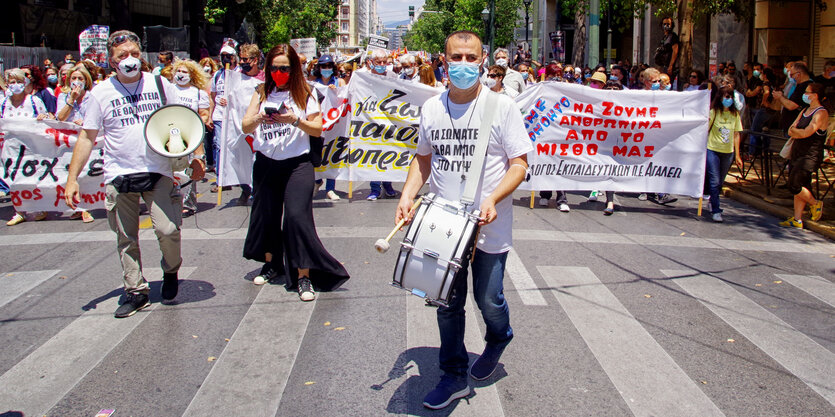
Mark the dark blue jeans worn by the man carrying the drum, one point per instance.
(488, 291)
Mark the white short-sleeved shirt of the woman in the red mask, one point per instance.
(281, 140)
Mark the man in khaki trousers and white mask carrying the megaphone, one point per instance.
(120, 107)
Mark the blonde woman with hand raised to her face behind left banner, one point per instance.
(72, 105)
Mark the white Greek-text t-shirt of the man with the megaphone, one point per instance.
(120, 112)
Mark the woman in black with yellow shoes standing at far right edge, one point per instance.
(808, 133)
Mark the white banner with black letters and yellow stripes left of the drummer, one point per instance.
(378, 130)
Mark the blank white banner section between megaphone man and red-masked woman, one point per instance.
(236, 155)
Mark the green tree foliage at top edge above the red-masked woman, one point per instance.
(278, 21)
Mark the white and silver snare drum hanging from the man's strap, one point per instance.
(437, 245)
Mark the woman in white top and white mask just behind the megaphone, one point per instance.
(191, 82)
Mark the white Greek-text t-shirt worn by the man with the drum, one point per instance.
(449, 132)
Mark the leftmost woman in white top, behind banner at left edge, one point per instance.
(18, 104)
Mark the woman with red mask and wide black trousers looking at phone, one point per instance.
(281, 228)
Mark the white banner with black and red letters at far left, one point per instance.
(35, 159)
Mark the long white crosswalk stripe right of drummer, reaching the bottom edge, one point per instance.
(648, 379)
